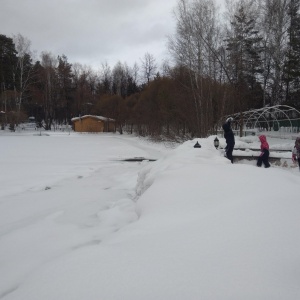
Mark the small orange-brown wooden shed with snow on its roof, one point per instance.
(89, 123)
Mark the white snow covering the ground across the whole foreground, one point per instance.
(79, 222)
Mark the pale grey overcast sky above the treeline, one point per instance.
(92, 32)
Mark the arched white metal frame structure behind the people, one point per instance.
(268, 118)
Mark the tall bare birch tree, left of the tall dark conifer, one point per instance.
(194, 47)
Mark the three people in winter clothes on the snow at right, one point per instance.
(264, 146)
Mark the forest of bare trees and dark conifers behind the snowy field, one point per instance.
(221, 62)
